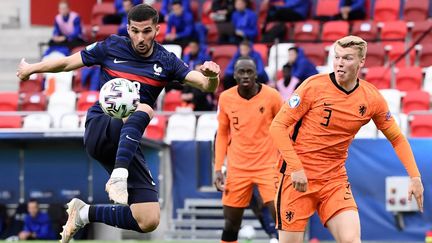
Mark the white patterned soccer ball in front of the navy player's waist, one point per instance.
(119, 98)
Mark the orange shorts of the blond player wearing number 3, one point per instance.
(327, 197)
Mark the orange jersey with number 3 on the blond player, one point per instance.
(322, 119)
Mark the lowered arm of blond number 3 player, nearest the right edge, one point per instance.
(403, 151)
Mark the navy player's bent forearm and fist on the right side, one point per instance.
(207, 80)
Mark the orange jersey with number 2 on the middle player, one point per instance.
(243, 132)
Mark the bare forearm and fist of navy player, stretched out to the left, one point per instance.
(68, 63)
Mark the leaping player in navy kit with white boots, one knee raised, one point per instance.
(114, 142)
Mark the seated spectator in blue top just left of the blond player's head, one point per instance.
(301, 67)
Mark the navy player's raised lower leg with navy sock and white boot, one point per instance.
(130, 137)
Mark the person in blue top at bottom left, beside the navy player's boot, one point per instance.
(37, 225)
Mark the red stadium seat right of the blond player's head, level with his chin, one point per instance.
(409, 78)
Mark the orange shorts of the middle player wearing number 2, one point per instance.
(239, 187)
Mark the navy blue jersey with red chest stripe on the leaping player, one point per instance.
(118, 59)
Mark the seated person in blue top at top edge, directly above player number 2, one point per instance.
(244, 25)
